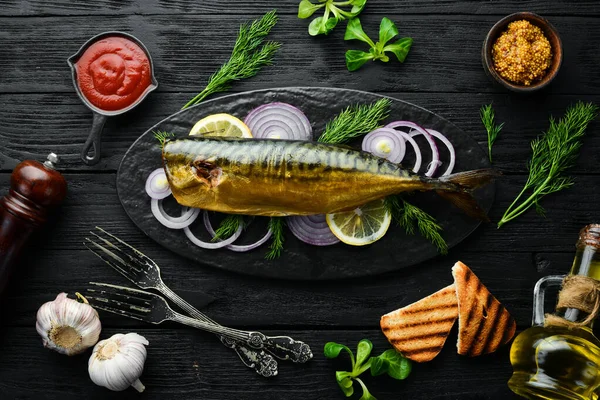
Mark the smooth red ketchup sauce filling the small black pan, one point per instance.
(113, 73)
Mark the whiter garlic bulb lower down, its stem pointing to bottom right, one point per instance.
(118, 362)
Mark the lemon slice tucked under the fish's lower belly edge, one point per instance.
(361, 226)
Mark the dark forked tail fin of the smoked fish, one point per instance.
(457, 189)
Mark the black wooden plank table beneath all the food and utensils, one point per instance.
(39, 113)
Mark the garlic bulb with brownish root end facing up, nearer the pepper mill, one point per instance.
(68, 326)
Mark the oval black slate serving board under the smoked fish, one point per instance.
(301, 261)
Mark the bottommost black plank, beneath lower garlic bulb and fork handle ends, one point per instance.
(187, 364)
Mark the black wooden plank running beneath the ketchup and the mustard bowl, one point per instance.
(445, 56)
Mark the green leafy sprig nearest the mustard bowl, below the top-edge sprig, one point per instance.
(387, 31)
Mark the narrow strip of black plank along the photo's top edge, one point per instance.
(147, 7)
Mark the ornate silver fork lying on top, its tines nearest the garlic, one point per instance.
(152, 308)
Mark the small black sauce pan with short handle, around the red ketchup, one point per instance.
(93, 142)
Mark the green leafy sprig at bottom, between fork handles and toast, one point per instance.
(390, 362)
